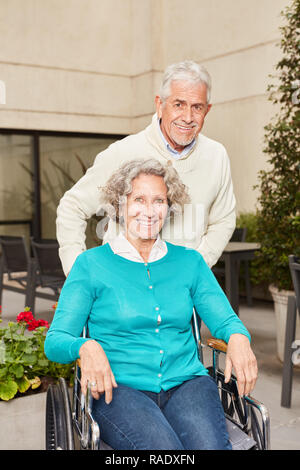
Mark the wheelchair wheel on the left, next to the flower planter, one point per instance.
(59, 428)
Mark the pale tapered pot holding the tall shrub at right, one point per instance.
(280, 298)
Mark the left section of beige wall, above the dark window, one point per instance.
(66, 64)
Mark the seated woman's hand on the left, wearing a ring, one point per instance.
(96, 370)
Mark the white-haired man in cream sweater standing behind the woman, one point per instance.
(174, 136)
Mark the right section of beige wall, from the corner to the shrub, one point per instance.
(236, 41)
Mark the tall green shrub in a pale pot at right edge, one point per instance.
(278, 219)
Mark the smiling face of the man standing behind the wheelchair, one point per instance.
(182, 113)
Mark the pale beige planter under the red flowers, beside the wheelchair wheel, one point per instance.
(22, 423)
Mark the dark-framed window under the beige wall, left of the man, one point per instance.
(36, 168)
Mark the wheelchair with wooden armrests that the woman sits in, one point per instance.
(71, 426)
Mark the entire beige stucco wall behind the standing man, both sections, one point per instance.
(95, 66)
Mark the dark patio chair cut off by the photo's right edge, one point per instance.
(290, 333)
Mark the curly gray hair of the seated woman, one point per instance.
(119, 185)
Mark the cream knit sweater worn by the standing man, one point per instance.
(206, 225)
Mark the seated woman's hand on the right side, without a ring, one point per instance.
(240, 357)
